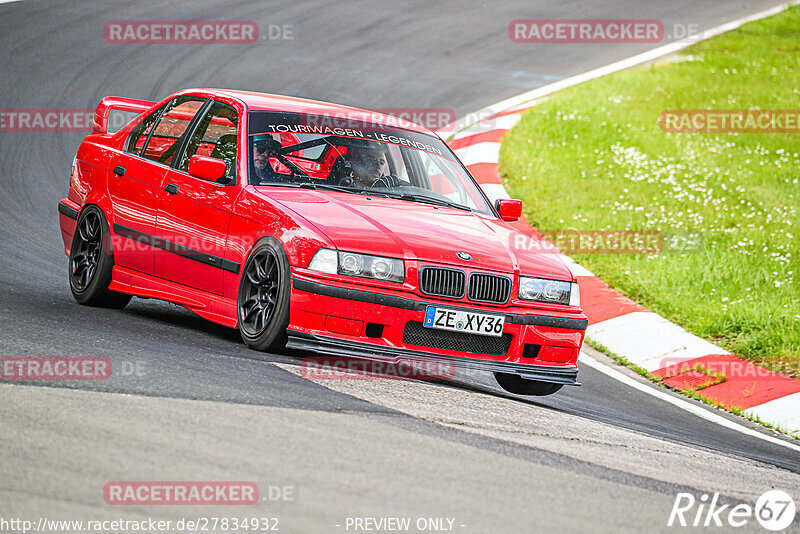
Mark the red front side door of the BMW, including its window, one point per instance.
(194, 214)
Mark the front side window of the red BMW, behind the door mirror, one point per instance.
(215, 136)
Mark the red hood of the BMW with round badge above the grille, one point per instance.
(412, 230)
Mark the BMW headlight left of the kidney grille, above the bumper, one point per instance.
(361, 265)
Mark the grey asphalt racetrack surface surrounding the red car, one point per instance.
(195, 404)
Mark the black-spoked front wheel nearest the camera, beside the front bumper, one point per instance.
(264, 294)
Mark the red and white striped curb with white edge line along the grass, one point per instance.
(644, 338)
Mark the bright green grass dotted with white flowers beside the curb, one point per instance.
(593, 157)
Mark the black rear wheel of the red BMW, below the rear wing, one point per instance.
(91, 260)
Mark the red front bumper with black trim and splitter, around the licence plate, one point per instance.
(352, 321)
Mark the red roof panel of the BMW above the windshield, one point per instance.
(269, 102)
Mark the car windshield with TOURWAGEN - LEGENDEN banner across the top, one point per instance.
(332, 153)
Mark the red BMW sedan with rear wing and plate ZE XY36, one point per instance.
(315, 227)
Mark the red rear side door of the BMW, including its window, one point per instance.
(136, 178)
